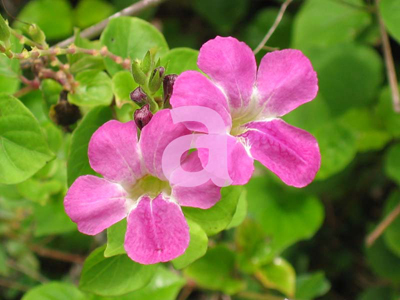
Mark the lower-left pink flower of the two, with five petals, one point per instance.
(134, 187)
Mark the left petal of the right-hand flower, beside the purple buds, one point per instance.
(192, 88)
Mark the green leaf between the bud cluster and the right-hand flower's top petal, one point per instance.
(180, 59)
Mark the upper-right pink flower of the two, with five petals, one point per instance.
(251, 103)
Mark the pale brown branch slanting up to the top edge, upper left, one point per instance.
(96, 29)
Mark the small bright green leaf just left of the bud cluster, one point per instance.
(123, 84)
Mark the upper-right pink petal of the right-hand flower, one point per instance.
(285, 80)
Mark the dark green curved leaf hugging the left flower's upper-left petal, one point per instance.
(78, 162)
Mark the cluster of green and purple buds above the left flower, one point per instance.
(150, 75)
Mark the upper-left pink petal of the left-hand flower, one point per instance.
(114, 152)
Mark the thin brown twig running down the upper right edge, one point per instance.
(387, 52)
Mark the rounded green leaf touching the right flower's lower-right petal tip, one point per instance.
(338, 146)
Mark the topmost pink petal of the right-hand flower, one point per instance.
(232, 66)
